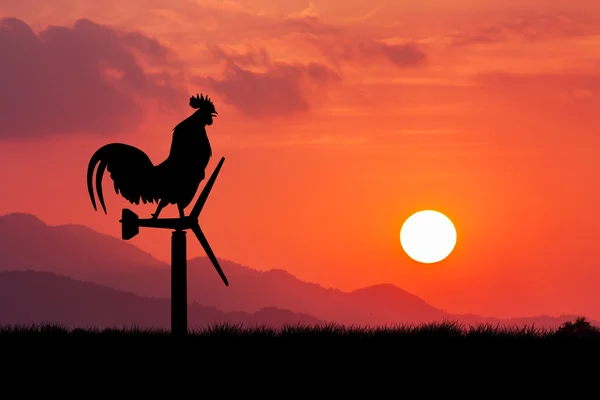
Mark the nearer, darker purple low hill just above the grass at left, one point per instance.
(29, 297)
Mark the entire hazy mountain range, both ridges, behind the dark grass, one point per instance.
(112, 282)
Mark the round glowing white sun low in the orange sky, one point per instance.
(428, 236)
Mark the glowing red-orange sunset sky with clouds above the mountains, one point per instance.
(338, 119)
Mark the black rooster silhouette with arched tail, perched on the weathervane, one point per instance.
(174, 181)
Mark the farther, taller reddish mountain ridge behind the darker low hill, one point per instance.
(27, 243)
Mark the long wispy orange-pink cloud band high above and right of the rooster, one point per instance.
(308, 36)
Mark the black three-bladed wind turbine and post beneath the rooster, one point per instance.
(130, 227)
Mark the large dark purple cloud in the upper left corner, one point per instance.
(85, 78)
